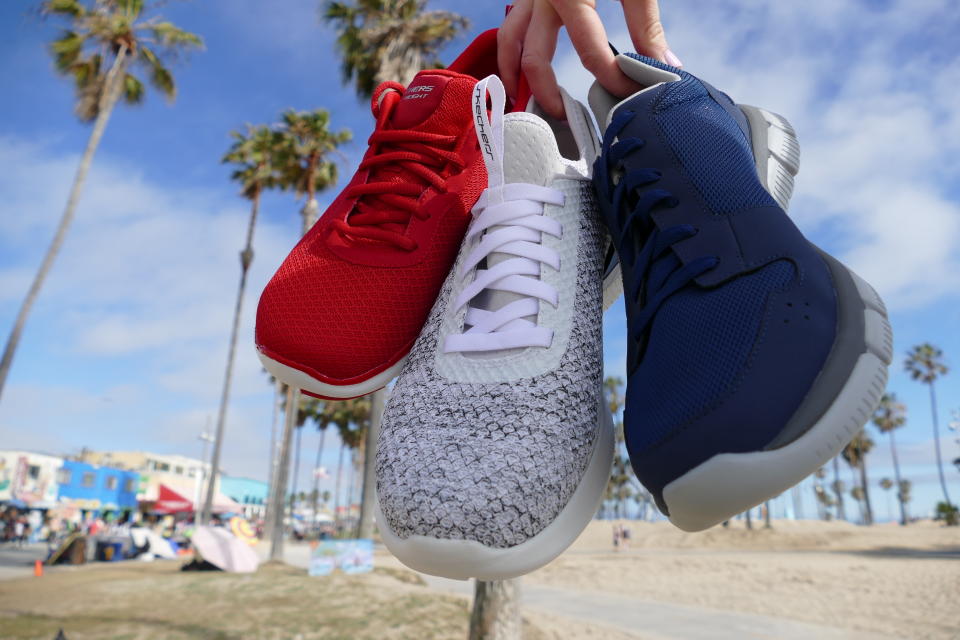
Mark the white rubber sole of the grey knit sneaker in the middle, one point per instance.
(464, 559)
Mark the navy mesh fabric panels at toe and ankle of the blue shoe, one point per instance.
(697, 347)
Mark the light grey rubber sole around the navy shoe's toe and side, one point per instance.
(731, 483)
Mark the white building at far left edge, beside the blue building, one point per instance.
(28, 480)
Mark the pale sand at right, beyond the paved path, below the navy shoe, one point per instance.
(886, 579)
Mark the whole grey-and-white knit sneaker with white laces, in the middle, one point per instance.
(496, 443)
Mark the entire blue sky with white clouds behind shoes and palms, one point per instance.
(127, 344)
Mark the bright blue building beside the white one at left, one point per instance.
(93, 488)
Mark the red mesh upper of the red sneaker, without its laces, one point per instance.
(333, 317)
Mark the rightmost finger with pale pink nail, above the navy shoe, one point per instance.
(590, 40)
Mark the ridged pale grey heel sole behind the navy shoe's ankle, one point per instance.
(776, 150)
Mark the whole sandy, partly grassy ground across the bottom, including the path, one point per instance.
(797, 580)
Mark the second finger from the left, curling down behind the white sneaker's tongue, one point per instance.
(538, 48)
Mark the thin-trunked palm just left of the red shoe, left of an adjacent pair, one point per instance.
(252, 155)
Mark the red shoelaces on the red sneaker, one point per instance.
(385, 206)
